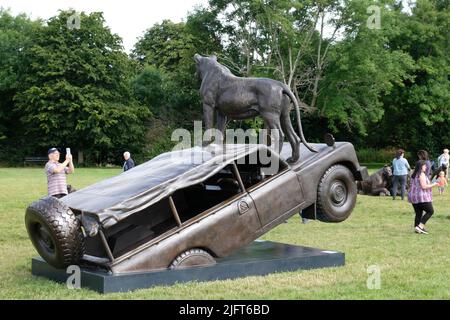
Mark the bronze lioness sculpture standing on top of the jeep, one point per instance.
(232, 97)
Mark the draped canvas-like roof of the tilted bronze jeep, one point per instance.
(118, 197)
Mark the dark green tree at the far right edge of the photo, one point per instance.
(417, 111)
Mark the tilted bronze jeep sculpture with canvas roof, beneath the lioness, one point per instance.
(188, 207)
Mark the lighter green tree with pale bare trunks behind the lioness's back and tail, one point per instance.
(338, 68)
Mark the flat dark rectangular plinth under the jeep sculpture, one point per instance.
(257, 258)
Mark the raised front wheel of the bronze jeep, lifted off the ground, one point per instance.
(336, 194)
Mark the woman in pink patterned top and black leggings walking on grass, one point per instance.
(421, 197)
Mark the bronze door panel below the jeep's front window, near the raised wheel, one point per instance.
(276, 196)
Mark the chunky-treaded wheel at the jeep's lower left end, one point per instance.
(55, 232)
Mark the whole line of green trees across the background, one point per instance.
(371, 72)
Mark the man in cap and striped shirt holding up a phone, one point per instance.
(56, 173)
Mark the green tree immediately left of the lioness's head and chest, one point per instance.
(166, 52)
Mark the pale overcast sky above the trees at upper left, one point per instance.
(128, 18)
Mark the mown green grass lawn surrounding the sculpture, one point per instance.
(379, 232)
